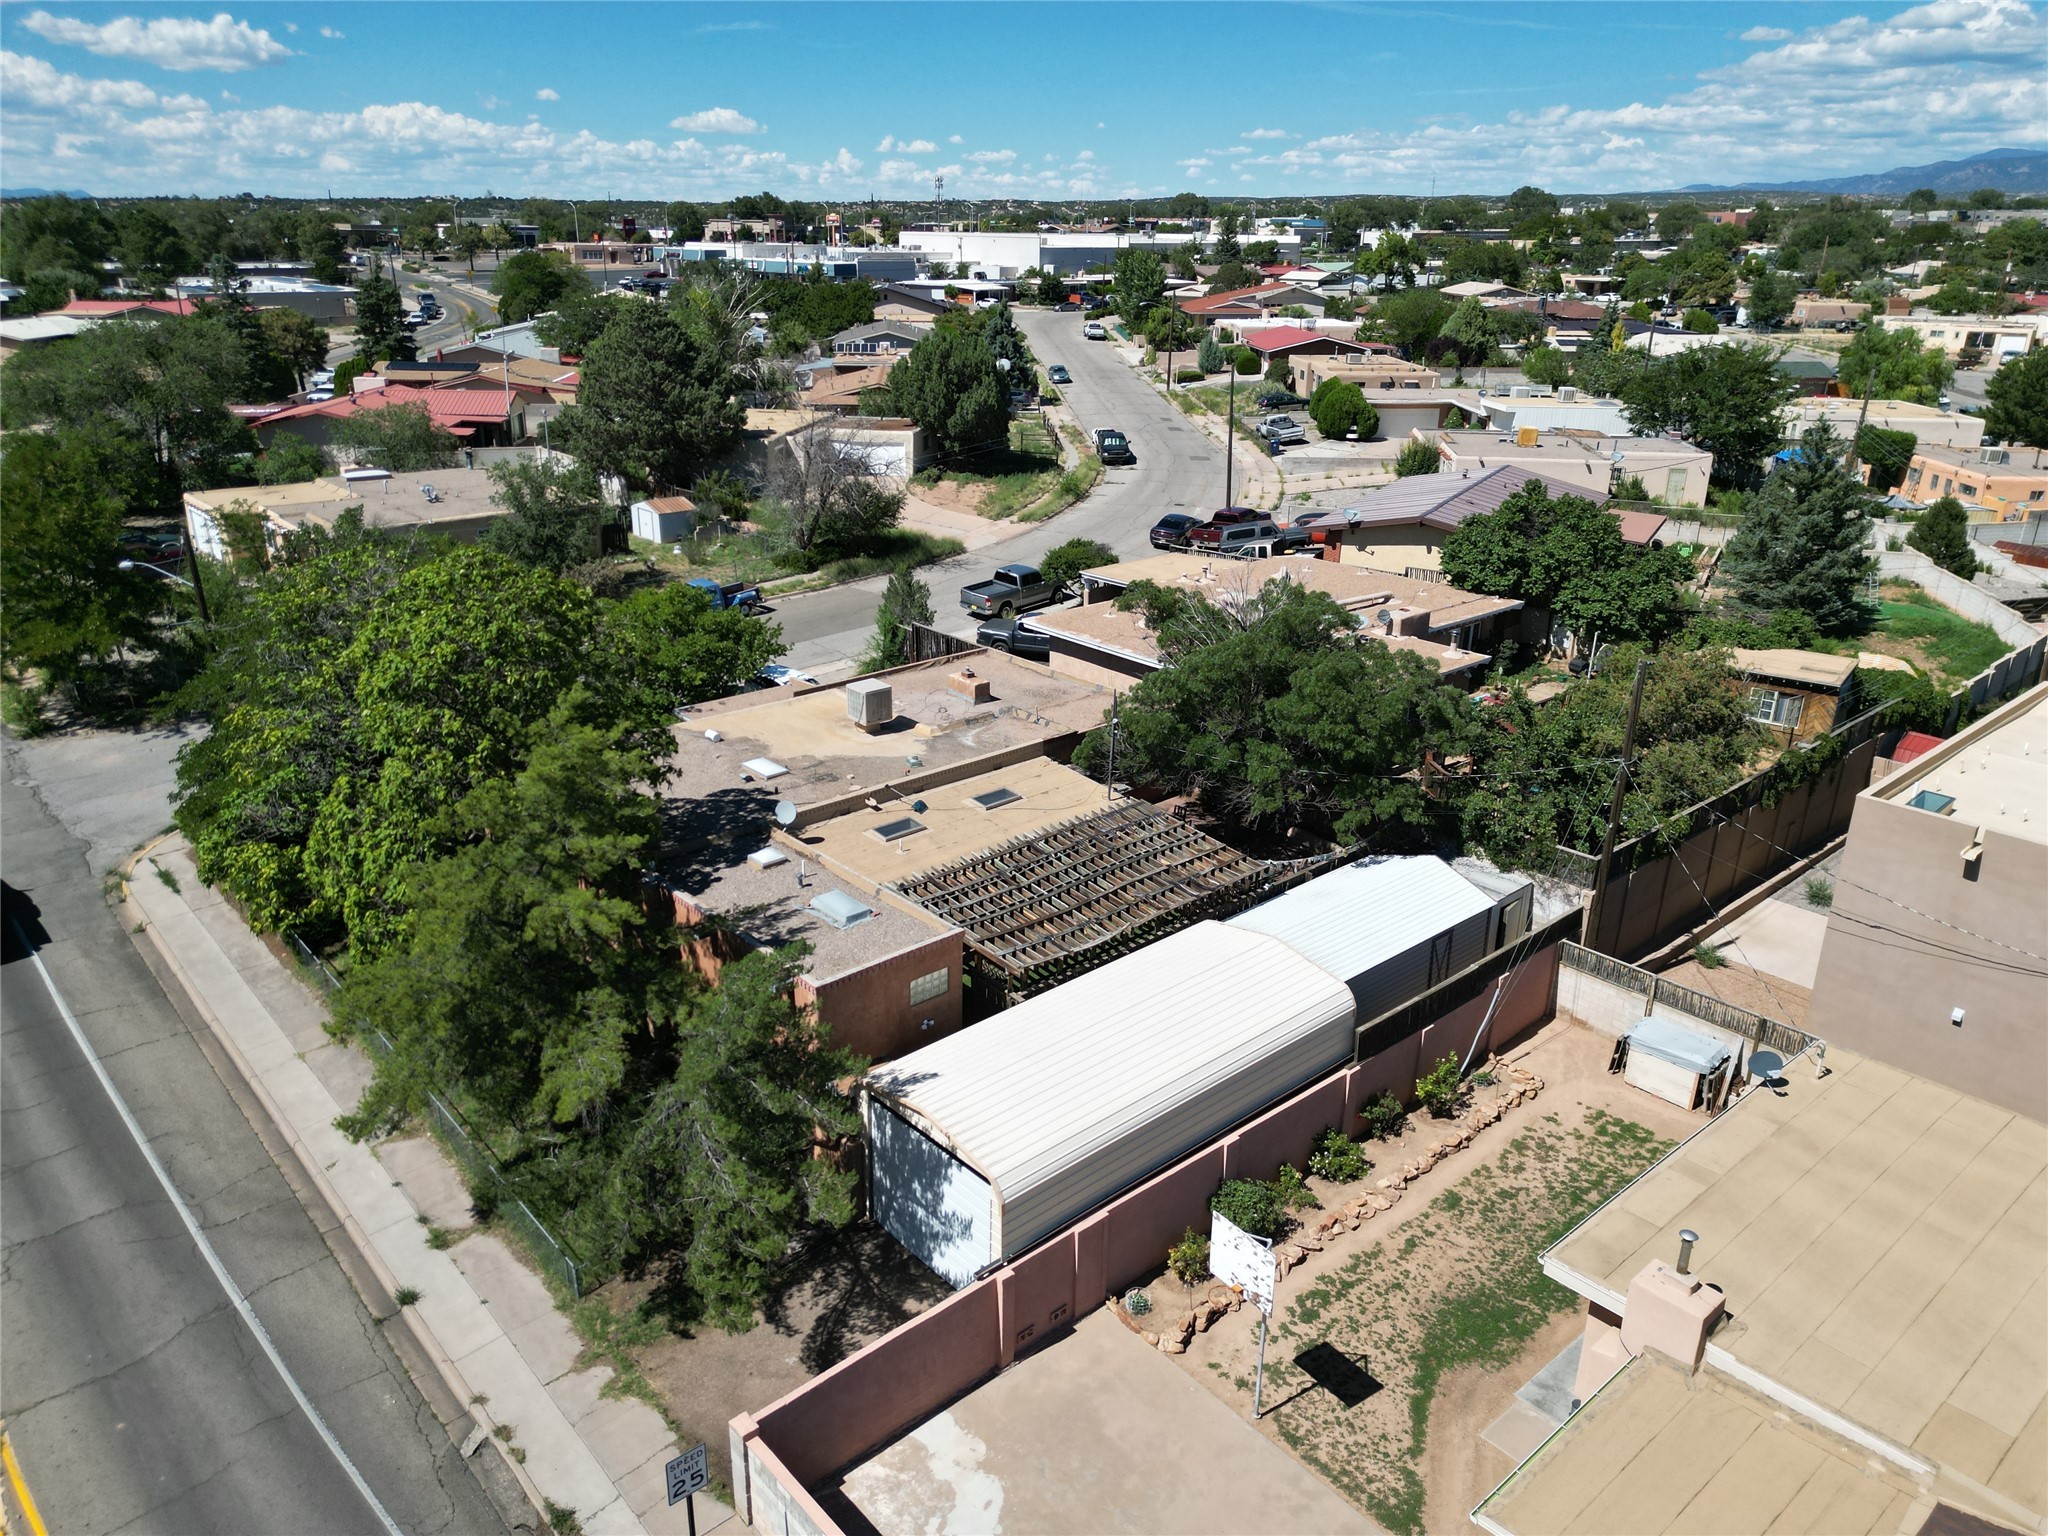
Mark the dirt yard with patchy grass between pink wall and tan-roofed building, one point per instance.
(1398, 1345)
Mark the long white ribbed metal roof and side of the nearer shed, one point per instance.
(1074, 1095)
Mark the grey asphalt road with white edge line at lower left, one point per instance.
(136, 1396)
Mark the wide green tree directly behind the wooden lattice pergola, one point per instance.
(1277, 714)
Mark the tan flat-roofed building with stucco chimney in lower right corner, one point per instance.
(1852, 1342)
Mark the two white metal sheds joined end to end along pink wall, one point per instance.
(1002, 1136)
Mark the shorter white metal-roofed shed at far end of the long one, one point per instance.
(1388, 929)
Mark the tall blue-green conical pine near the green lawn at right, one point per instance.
(1805, 540)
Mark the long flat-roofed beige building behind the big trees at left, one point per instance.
(452, 503)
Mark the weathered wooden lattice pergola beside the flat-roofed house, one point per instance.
(1043, 908)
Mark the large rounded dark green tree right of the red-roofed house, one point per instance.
(656, 407)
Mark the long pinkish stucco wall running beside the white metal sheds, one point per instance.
(904, 1377)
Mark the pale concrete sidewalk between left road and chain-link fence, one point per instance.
(482, 1316)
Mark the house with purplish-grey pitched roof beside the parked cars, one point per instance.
(1402, 527)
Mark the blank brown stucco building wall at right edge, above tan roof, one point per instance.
(1910, 939)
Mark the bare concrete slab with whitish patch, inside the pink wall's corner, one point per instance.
(1095, 1433)
